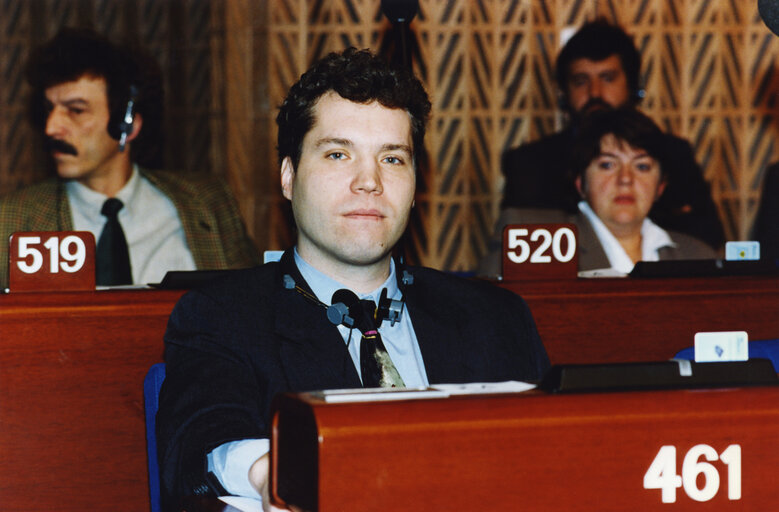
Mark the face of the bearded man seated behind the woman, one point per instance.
(596, 84)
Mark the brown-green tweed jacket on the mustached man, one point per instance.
(215, 233)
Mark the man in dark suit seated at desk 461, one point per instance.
(351, 133)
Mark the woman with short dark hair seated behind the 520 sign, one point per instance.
(616, 165)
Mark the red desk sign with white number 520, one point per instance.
(539, 251)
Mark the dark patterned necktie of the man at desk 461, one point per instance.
(376, 366)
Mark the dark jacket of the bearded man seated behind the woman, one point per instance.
(538, 176)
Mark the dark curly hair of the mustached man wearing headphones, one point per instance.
(77, 52)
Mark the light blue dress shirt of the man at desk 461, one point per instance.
(230, 462)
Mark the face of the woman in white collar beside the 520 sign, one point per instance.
(621, 184)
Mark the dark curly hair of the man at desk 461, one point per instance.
(358, 76)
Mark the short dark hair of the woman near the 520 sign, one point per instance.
(626, 124)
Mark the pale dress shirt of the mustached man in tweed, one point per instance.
(150, 221)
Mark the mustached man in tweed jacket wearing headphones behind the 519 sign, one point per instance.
(99, 107)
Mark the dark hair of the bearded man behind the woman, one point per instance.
(598, 40)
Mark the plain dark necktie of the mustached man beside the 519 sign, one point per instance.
(112, 264)
